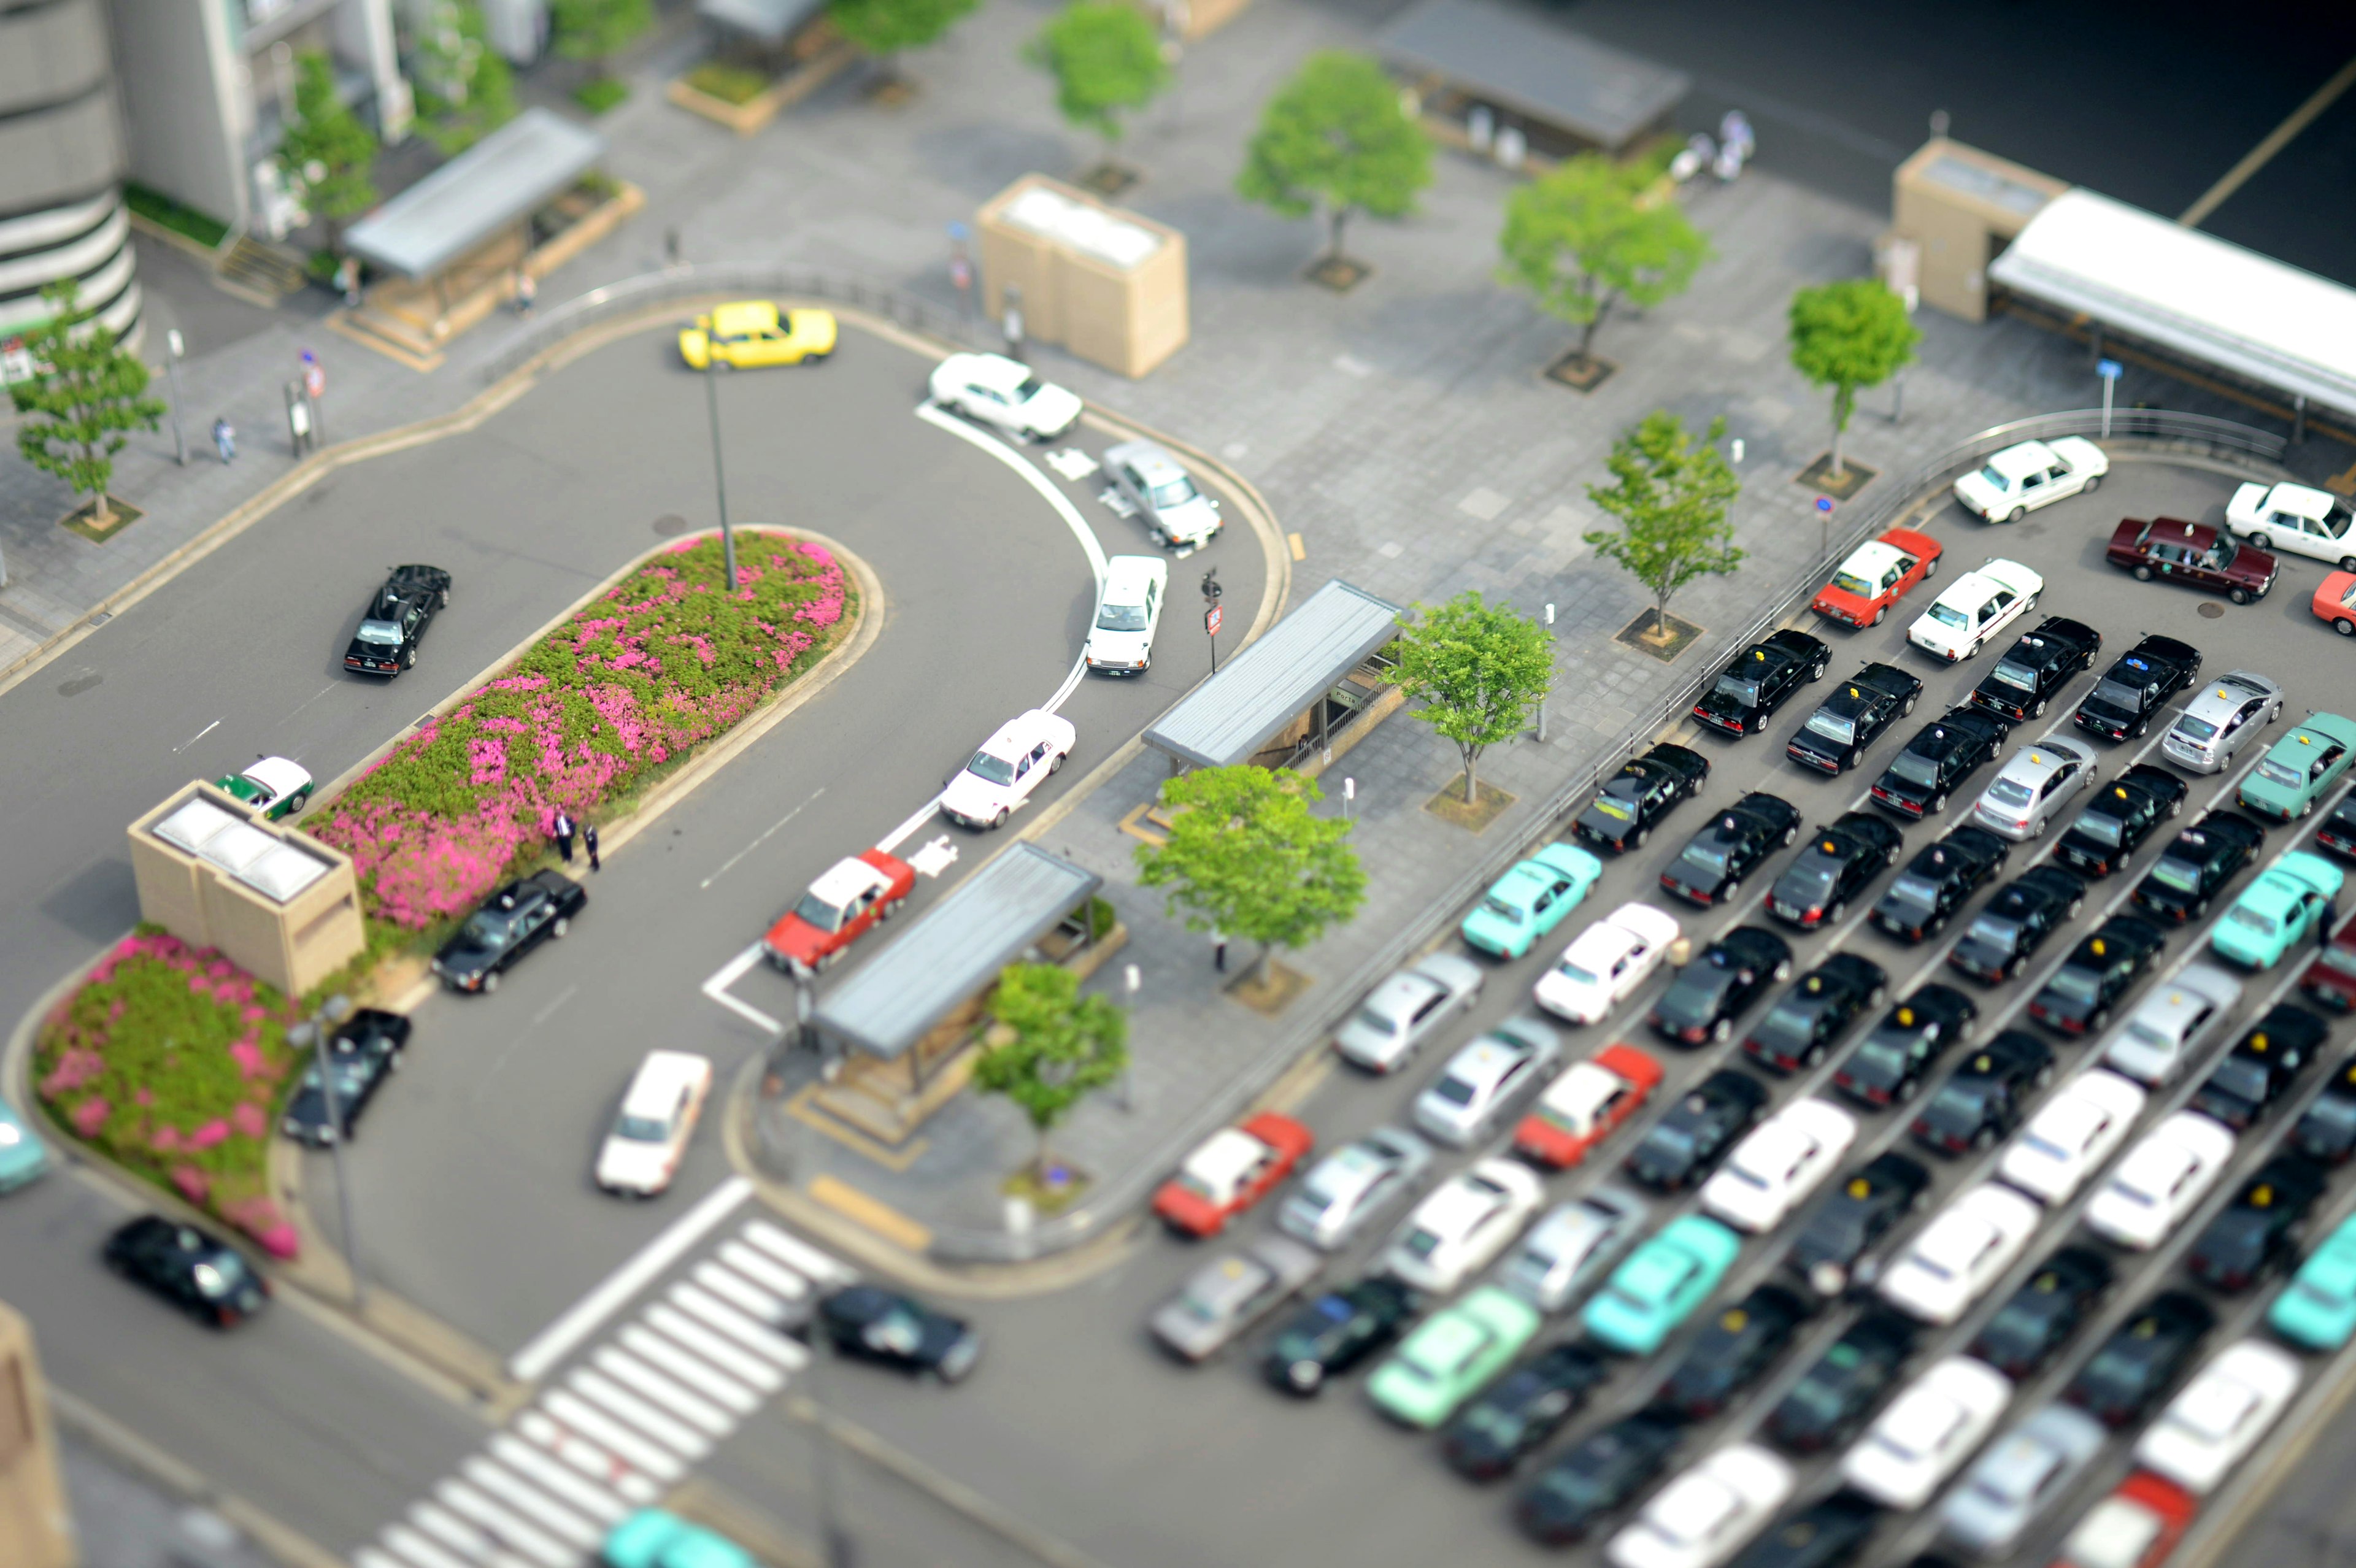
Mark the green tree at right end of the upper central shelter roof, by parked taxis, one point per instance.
(1478, 670)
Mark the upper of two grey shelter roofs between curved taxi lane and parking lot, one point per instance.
(1264, 689)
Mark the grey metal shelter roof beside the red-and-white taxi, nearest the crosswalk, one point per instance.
(953, 950)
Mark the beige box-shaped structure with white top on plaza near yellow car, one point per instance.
(1101, 284)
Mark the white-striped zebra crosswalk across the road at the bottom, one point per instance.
(628, 1421)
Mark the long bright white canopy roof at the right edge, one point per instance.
(2190, 293)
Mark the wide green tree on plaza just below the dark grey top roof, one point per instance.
(1582, 241)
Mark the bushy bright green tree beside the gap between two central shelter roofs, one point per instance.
(1252, 861)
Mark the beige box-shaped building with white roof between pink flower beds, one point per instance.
(279, 905)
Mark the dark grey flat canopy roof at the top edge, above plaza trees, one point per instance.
(1523, 62)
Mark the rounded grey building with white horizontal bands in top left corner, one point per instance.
(60, 171)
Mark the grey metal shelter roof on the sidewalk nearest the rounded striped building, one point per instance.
(498, 182)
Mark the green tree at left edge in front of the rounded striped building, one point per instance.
(88, 394)
